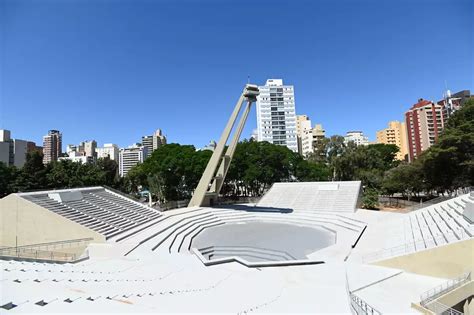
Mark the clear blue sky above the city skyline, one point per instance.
(116, 70)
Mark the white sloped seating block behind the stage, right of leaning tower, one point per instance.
(314, 196)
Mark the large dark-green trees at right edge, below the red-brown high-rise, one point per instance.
(444, 167)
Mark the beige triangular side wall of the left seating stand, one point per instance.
(28, 223)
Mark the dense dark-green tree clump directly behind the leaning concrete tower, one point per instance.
(173, 171)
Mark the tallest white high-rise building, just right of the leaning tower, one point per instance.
(276, 118)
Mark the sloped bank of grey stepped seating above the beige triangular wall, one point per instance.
(98, 209)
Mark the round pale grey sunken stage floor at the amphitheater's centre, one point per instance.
(263, 241)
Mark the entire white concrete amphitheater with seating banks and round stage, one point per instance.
(305, 247)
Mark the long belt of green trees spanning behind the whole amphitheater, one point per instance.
(173, 171)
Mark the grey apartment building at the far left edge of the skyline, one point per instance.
(13, 151)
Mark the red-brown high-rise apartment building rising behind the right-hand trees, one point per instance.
(424, 122)
